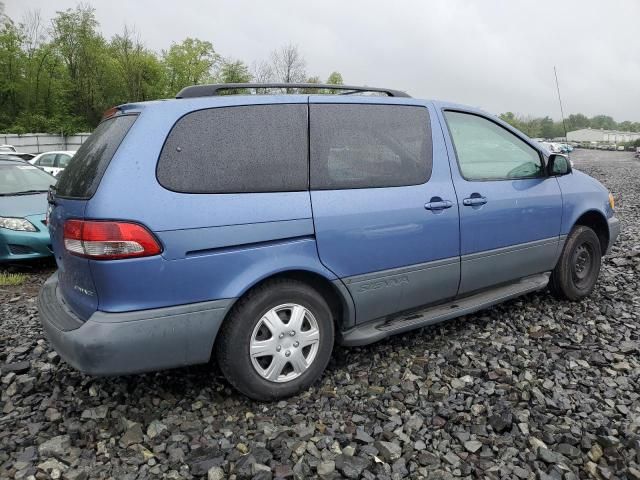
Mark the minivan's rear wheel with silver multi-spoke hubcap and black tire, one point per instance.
(259, 323)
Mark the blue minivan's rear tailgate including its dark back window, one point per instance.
(68, 200)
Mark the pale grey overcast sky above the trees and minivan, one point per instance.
(498, 55)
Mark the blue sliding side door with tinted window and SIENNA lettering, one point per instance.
(383, 203)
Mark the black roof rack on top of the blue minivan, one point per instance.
(215, 89)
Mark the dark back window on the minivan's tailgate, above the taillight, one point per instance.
(81, 177)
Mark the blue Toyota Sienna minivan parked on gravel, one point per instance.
(265, 229)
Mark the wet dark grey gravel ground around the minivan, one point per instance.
(534, 388)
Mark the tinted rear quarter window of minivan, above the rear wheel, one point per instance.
(257, 148)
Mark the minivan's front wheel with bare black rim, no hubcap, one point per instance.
(576, 273)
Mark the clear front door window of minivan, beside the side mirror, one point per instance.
(487, 151)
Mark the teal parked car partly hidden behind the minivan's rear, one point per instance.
(23, 205)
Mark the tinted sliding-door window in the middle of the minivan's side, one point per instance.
(369, 146)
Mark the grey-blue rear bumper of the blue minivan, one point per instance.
(130, 342)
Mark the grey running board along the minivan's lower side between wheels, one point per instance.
(378, 329)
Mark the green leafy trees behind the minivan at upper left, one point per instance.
(62, 78)
